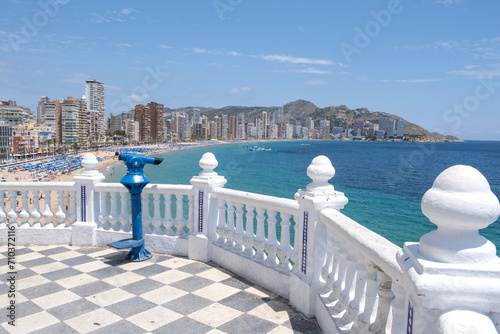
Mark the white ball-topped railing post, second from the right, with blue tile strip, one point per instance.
(305, 280)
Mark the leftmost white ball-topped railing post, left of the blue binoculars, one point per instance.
(83, 230)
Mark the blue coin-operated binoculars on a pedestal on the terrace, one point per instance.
(135, 181)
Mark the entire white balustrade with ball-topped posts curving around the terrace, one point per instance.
(305, 247)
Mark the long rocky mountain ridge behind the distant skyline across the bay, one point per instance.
(341, 116)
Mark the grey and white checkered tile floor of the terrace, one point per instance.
(63, 289)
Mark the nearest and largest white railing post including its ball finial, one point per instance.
(452, 276)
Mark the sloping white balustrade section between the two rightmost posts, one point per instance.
(361, 295)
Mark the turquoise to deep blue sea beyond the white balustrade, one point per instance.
(384, 181)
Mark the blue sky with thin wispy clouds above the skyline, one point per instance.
(435, 63)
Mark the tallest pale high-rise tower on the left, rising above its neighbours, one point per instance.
(95, 93)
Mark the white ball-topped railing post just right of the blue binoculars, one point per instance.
(206, 209)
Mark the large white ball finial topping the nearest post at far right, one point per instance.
(460, 203)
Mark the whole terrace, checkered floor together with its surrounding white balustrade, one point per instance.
(228, 261)
